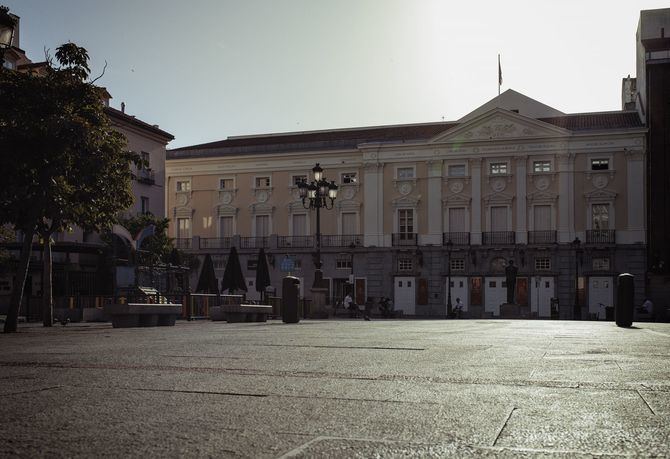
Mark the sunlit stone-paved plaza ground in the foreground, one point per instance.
(339, 388)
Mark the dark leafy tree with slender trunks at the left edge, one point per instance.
(63, 163)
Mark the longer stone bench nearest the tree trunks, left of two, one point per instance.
(143, 314)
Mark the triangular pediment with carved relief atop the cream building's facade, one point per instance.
(500, 124)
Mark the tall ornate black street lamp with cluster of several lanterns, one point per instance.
(315, 195)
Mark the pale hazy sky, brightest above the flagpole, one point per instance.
(207, 69)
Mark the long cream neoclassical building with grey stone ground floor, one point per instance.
(430, 211)
